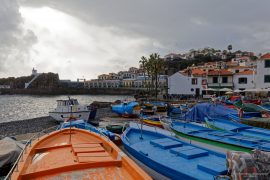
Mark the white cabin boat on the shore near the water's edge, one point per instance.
(70, 107)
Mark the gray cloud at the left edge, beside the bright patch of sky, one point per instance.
(15, 41)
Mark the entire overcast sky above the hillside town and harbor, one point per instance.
(84, 38)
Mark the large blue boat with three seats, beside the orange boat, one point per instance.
(170, 156)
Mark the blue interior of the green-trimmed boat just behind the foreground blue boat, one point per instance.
(221, 136)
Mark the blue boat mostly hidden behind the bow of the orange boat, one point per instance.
(84, 125)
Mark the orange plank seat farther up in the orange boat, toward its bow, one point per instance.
(87, 148)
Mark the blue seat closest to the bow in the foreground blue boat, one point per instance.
(166, 143)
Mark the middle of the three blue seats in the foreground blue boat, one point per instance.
(189, 152)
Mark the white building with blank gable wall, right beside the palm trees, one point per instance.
(189, 82)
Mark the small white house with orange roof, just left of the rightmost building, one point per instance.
(244, 80)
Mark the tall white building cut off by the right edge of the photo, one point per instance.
(263, 72)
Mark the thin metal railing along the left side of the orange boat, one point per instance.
(28, 143)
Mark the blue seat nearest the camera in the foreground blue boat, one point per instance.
(214, 169)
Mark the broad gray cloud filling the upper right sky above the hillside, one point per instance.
(178, 24)
